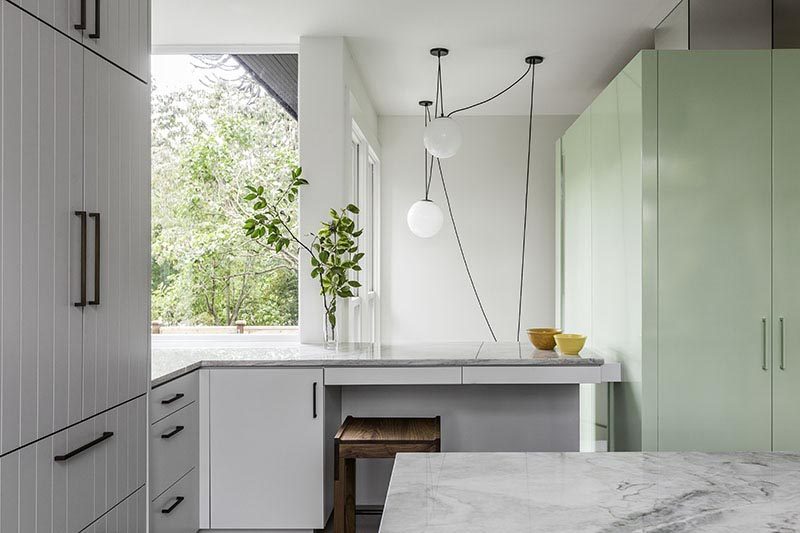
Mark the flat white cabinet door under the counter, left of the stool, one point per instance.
(267, 448)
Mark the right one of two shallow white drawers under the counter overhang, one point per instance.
(531, 375)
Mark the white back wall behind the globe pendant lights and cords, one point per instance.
(426, 295)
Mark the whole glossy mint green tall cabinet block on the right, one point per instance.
(694, 193)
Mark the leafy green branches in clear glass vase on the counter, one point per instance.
(333, 249)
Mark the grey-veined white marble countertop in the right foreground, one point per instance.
(558, 492)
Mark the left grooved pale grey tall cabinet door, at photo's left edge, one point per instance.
(40, 190)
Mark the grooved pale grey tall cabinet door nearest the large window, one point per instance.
(117, 201)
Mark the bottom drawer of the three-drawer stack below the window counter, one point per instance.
(176, 510)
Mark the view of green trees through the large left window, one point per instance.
(210, 140)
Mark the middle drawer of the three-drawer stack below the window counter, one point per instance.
(174, 443)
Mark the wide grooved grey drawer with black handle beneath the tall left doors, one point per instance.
(42, 494)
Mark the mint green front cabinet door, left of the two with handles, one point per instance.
(714, 260)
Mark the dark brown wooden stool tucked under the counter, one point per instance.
(374, 438)
